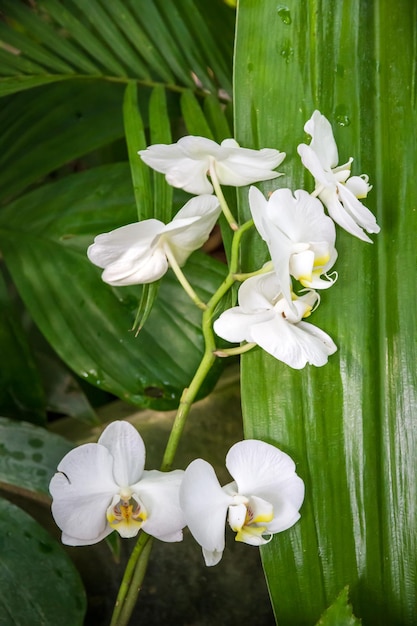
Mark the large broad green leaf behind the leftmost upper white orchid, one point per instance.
(44, 236)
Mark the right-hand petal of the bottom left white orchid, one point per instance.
(159, 492)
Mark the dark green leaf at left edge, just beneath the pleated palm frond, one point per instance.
(49, 127)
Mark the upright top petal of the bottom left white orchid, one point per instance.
(126, 446)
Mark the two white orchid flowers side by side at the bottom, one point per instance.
(102, 487)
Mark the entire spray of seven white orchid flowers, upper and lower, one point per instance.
(104, 487)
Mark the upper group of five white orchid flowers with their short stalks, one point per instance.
(299, 235)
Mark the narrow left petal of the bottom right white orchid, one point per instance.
(205, 506)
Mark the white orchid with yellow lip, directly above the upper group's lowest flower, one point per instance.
(300, 237)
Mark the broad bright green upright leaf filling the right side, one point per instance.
(351, 425)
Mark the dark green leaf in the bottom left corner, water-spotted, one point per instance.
(38, 583)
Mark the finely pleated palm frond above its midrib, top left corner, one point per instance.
(182, 43)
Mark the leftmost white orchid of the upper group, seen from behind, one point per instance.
(142, 252)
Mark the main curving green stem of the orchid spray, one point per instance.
(136, 567)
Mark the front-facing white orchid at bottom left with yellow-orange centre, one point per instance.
(101, 487)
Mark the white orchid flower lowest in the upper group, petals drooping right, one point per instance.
(265, 318)
